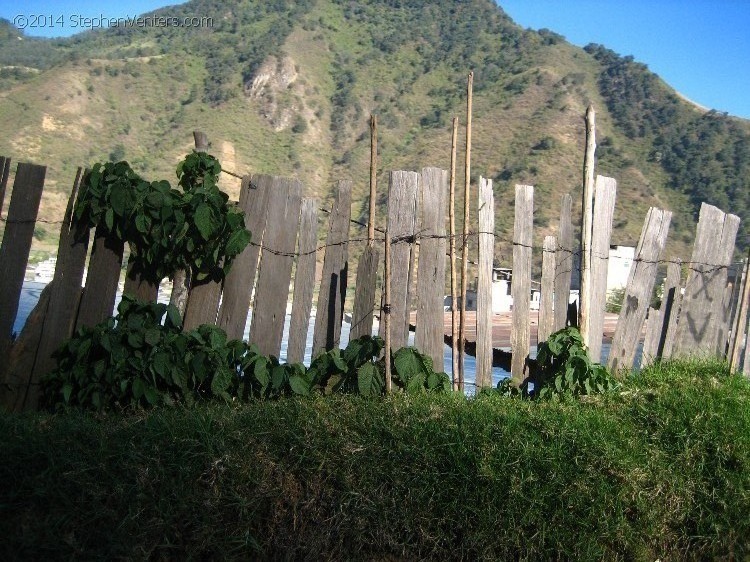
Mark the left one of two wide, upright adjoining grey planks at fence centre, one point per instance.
(402, 201)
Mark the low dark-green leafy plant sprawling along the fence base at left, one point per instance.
(142, 358)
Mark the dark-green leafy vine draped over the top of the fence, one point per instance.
(167, 229)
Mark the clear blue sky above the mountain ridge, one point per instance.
(700, 47)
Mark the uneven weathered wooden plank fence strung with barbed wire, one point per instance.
(706, 313)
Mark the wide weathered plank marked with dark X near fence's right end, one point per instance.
(697, 332)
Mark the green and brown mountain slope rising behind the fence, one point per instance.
(287, 87)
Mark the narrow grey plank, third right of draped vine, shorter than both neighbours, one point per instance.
(304, 281)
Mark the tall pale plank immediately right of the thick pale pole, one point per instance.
(604, 208)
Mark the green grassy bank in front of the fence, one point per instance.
(660, 470)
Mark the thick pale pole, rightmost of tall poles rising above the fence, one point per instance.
(587, 210)
